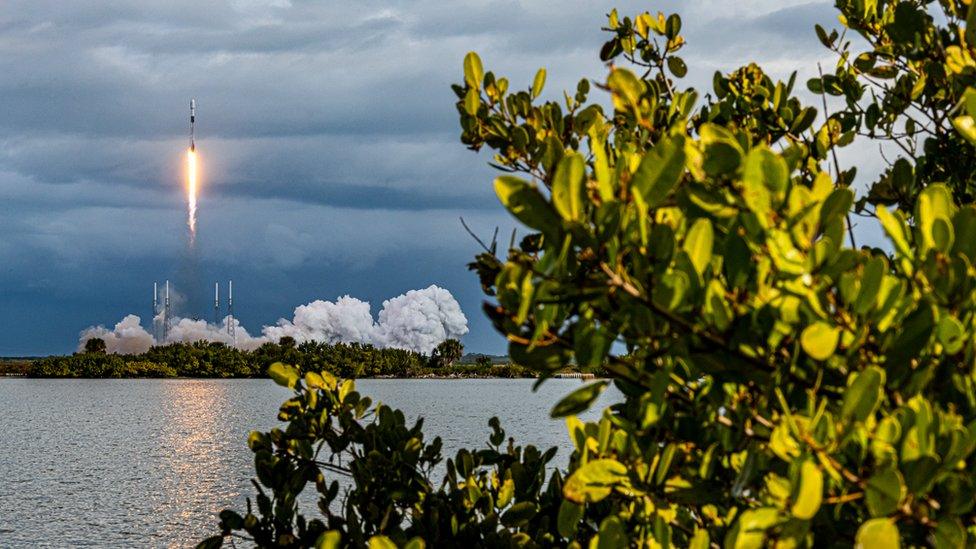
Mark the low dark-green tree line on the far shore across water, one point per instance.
(216, 360)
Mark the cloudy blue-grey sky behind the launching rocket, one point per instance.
(328, 139)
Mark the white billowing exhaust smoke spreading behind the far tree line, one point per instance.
(418, 321)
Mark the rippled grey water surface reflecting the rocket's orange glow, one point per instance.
(149, 463)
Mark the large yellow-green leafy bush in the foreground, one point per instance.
(780, 387)
